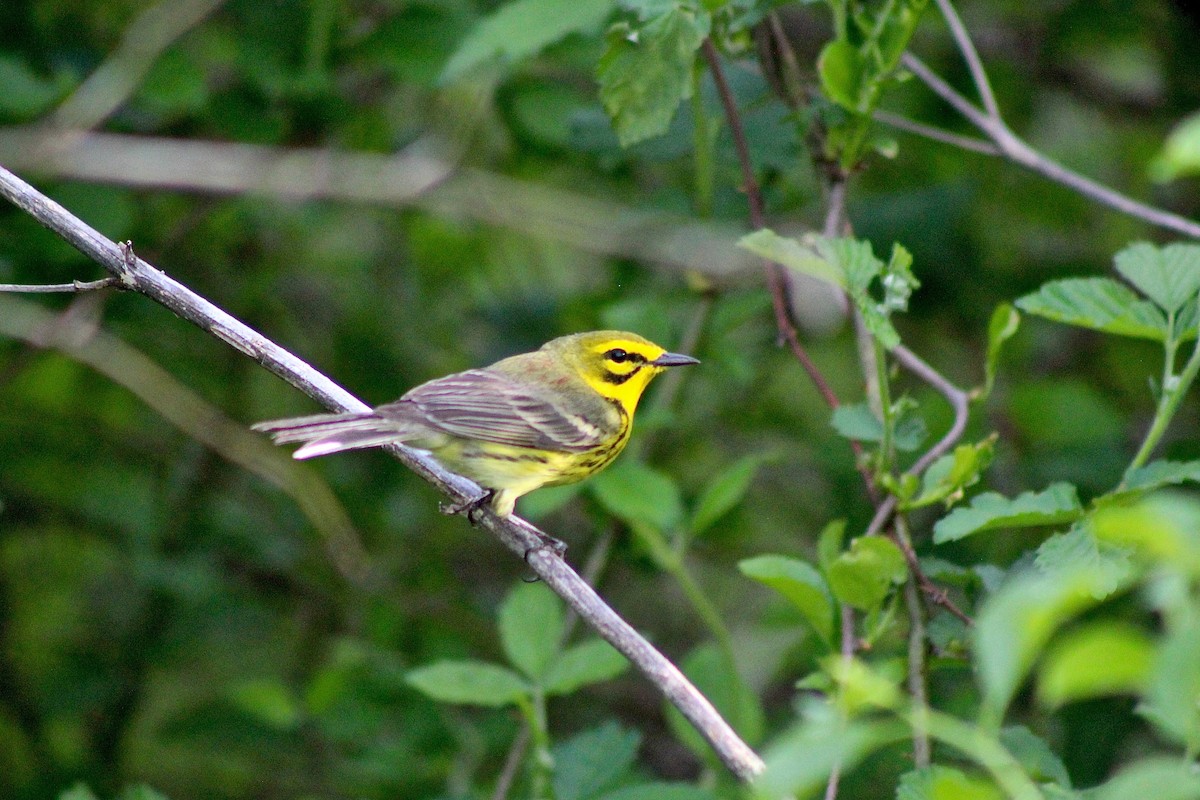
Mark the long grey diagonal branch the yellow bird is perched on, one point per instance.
(515, 533)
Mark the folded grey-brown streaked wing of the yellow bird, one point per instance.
(479, 405)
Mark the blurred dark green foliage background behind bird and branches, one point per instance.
(172, 618)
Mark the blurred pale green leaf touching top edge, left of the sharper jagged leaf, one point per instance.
(524, 28)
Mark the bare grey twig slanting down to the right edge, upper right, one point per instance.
(1017, 151)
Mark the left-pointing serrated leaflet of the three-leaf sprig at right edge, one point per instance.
(1099, 304)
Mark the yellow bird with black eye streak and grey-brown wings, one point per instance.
(548, 418)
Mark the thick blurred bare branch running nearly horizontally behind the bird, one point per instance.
(421, 176)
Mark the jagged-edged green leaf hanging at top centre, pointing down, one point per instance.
(646, 73)
